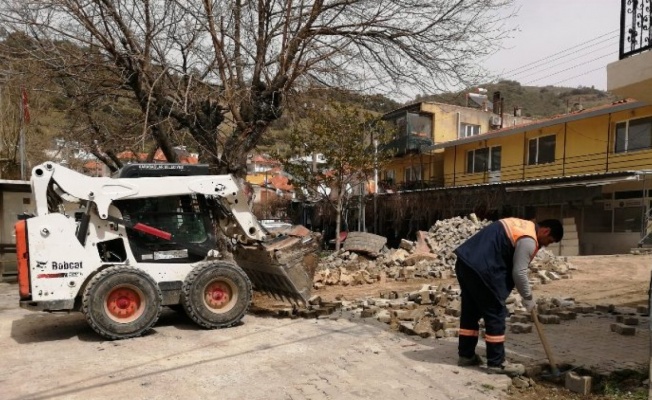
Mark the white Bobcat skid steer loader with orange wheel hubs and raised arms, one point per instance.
(119, 249)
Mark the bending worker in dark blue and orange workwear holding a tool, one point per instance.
(489, 265)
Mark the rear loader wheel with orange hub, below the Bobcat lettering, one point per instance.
(121, 302)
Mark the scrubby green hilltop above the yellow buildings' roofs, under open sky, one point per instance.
(534, 101)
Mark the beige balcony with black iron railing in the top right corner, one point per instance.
(631, 75)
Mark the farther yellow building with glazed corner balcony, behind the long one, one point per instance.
(420, 125)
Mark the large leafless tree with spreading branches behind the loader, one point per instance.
(222, 69)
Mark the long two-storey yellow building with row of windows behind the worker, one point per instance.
(606, 152)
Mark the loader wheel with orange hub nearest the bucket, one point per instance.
(216, 294)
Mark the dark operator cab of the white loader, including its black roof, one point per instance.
(187, 218)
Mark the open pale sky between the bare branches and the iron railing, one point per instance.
(560, 43)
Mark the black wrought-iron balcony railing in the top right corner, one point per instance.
(635, 31)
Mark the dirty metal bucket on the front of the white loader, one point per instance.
(282, 267)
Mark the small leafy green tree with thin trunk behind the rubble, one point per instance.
(348, 140)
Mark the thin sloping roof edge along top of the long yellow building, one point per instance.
(622, 105)
